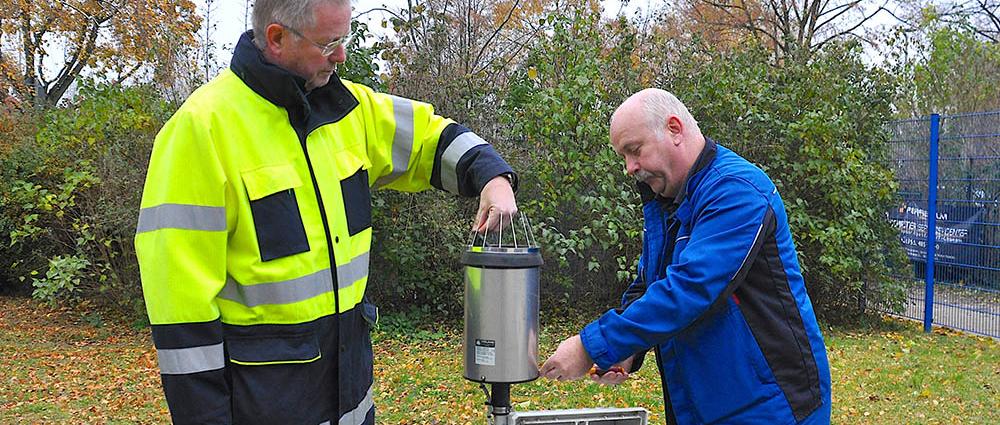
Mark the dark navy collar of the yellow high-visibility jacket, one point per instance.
(307, 110)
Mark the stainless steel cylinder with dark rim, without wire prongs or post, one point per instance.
(501, 315)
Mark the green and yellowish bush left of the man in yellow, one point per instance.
(71, 197)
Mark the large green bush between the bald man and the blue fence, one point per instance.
(819, 130)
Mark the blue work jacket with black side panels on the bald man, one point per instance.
(721, 301)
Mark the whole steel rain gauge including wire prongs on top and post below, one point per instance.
(501, 309)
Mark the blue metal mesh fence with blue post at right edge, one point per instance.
(948, 168)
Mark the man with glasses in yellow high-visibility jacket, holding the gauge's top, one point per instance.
(255, 227)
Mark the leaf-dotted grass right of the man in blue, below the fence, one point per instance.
(901, 375)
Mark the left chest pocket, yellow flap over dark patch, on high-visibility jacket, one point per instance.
(275, 211)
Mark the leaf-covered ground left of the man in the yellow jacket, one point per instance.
(59, 370)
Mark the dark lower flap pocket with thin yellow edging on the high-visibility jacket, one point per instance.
(274, 350)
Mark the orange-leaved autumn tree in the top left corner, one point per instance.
(119, 40)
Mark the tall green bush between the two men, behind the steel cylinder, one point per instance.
(585, 209)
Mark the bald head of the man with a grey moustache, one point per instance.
(658, 138)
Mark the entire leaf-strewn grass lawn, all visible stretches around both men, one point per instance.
(56, 366)
